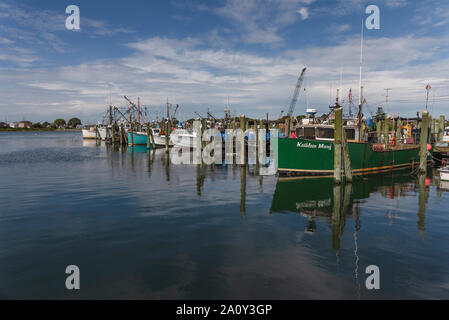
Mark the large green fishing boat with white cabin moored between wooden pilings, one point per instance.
(312, 153)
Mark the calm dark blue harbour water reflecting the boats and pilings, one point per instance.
(139, 228)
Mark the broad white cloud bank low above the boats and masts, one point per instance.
(197, 78)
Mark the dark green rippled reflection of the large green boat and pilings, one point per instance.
(319, 198)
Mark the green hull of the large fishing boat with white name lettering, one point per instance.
(314, 157)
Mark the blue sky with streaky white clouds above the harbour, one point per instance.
(202, 54)
